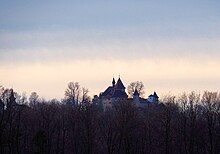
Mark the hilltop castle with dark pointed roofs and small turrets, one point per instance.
(116, 92)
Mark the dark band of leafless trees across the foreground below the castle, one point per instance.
(186, 124)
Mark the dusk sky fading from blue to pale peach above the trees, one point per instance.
(172, 46)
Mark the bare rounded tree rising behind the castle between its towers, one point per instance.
(135, 85)
